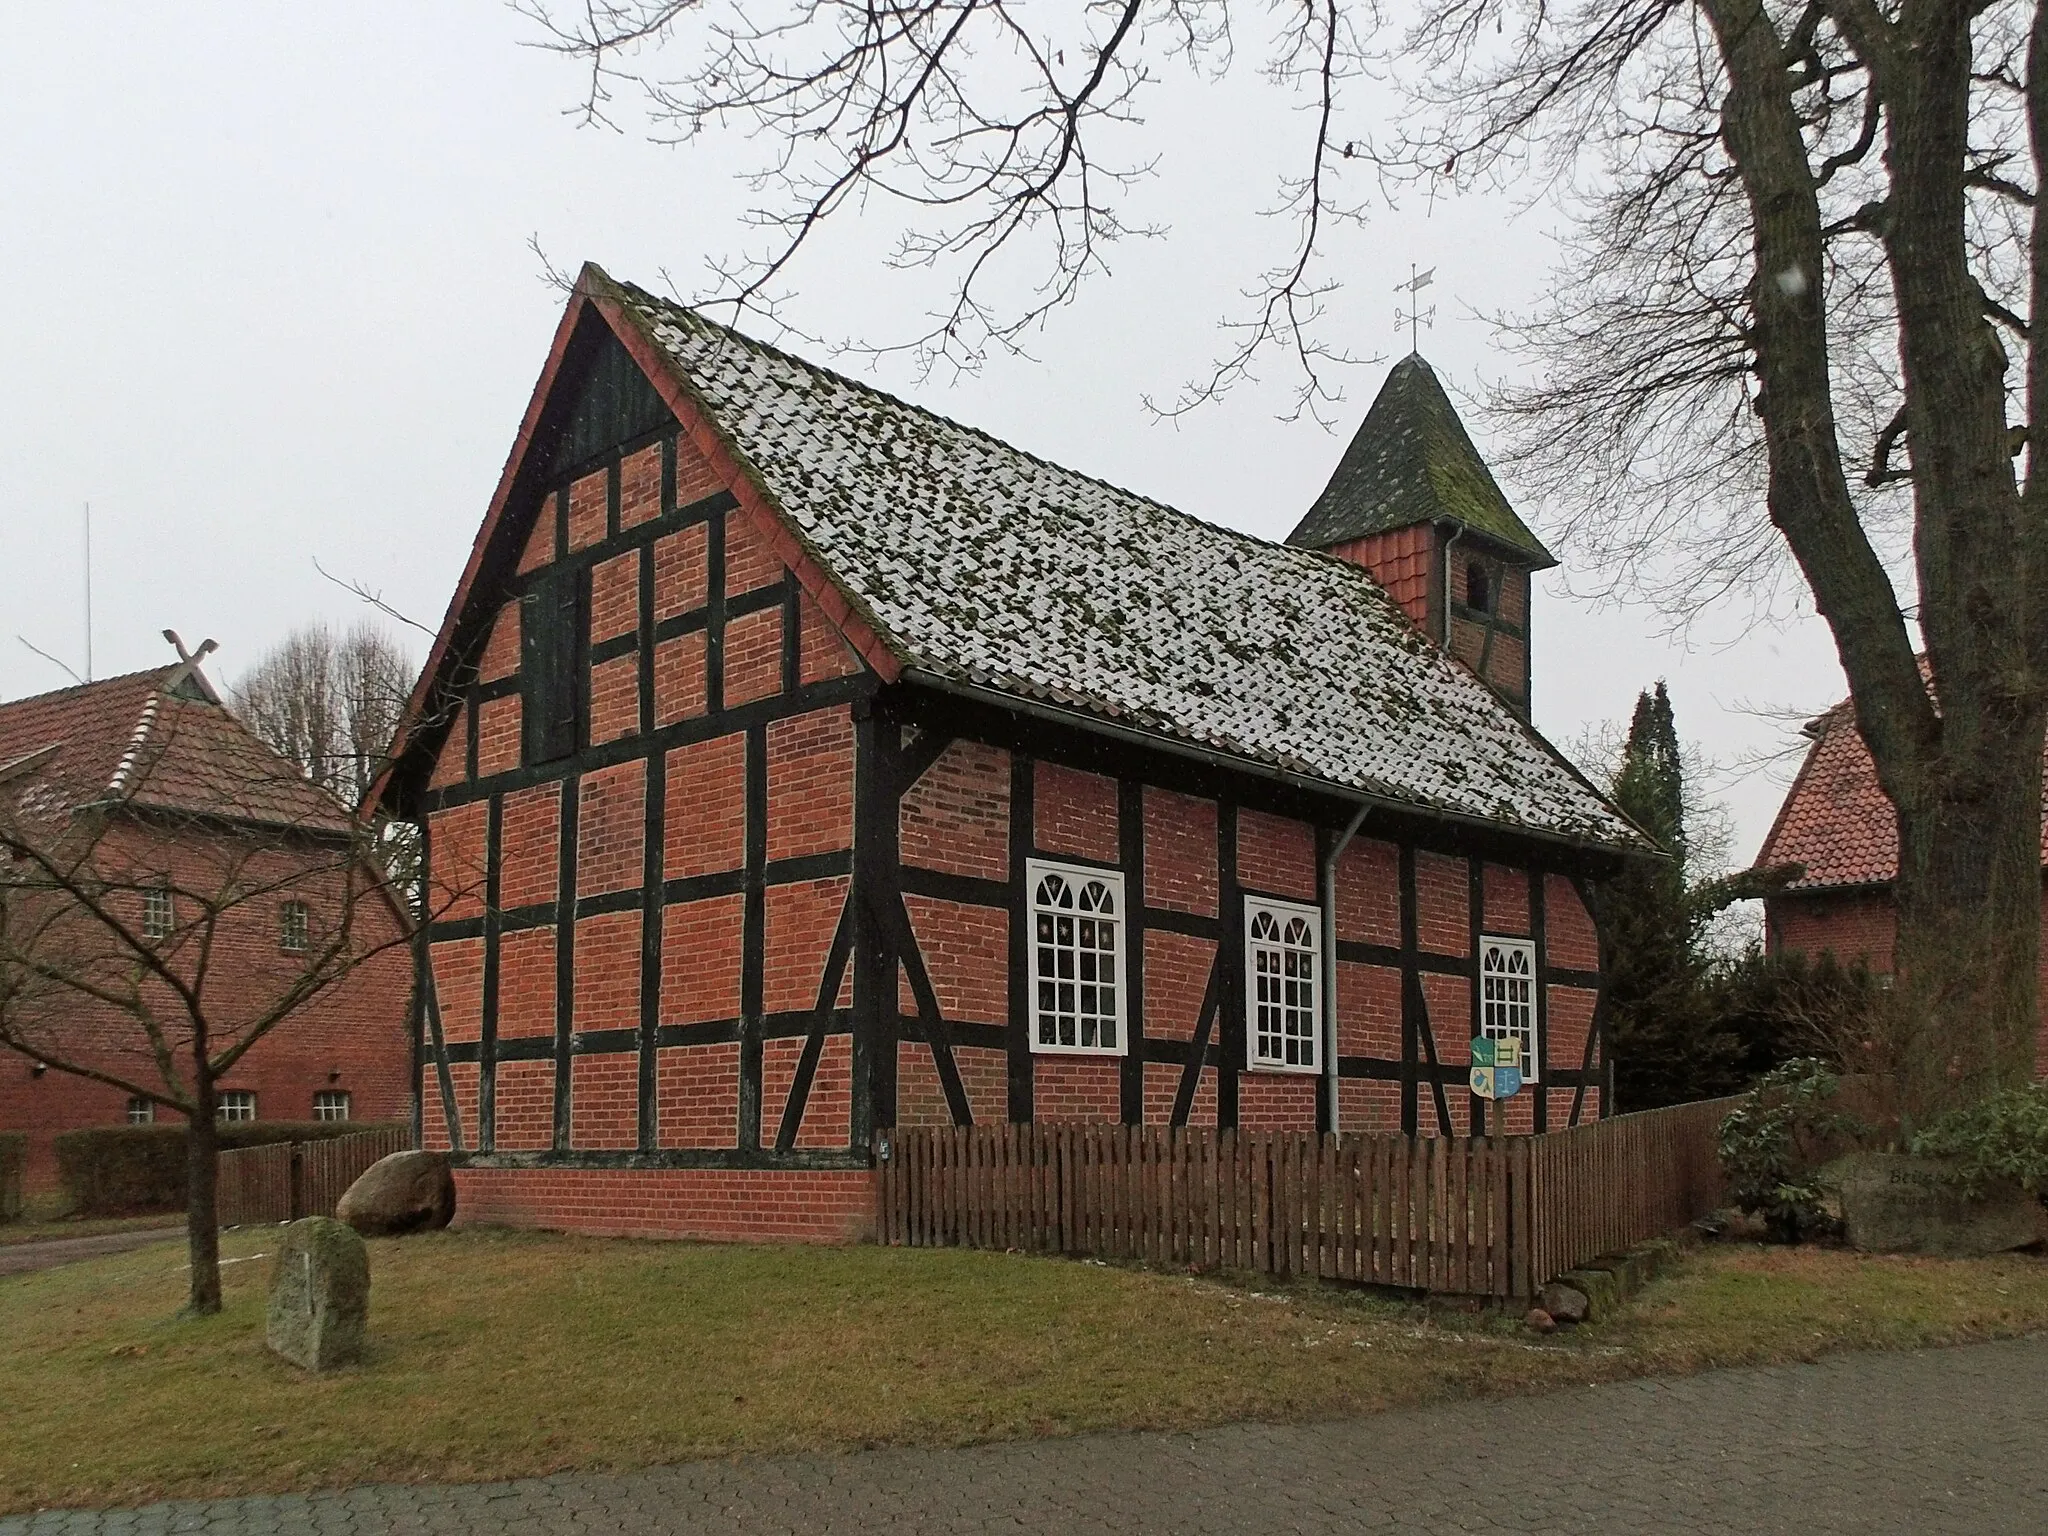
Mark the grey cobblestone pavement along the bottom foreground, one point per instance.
(1943, 1441)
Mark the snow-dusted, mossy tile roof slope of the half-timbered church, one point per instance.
(982, 564)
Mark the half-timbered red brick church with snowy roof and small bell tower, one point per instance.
(822, 765)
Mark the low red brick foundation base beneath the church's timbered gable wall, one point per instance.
(706, 1203)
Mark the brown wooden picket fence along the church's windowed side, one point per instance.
(1474, 1215)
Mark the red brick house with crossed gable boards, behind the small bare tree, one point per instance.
(194, 802)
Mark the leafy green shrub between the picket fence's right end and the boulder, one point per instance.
(1777, 1140)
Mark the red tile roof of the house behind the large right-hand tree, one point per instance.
(1836, 820)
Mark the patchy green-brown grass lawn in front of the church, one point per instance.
(501, 1355)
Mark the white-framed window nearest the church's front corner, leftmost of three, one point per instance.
(1076, 959)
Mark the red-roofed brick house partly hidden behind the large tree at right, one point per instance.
(1838, 824)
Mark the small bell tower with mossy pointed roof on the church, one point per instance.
(1416, 505)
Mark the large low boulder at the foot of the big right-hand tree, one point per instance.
(1912, 1205)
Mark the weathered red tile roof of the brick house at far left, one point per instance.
(157, 740)
